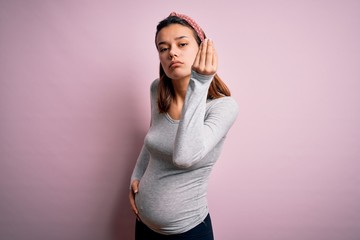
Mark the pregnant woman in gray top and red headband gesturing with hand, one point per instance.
(191, 113)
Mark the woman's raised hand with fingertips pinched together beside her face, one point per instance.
(206, 59)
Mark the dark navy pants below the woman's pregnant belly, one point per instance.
(203, 231)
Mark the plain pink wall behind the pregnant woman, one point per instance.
(74, 108)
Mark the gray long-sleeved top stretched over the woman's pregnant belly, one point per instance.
(177, 157)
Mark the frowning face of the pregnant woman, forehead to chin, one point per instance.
(177, 49)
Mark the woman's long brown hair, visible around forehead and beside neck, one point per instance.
(166, 91)
